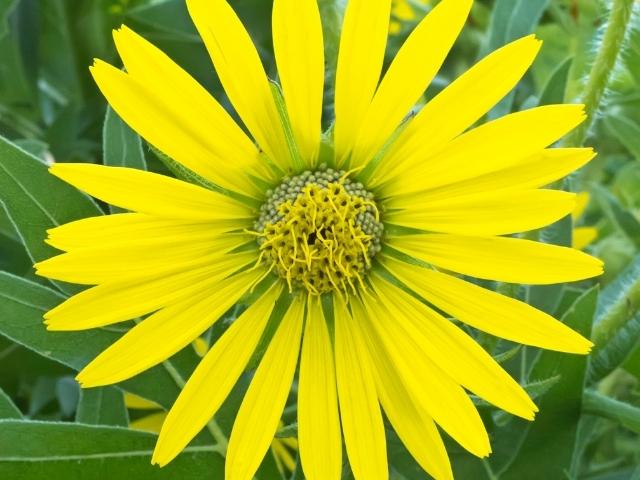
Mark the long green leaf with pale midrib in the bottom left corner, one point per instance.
(45, 450)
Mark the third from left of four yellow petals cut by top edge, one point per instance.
(362, 45)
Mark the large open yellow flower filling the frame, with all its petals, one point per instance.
(334, 240)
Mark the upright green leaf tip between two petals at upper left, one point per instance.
(122, 146)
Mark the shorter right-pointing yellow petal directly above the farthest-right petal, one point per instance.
(499, 213)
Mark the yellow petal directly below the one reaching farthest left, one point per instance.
(118, 301)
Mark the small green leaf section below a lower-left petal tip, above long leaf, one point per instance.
(102, 406)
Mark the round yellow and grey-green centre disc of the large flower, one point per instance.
(319, 231)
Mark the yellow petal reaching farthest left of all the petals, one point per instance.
(142, 260)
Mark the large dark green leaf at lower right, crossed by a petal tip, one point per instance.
(547, 445)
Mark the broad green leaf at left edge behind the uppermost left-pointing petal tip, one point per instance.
(35, 201)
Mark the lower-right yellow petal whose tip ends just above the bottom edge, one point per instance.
(435, 392)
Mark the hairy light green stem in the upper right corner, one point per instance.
(602, 67)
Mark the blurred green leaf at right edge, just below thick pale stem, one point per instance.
(613, 354)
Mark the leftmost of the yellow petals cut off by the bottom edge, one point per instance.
(266, 397)
